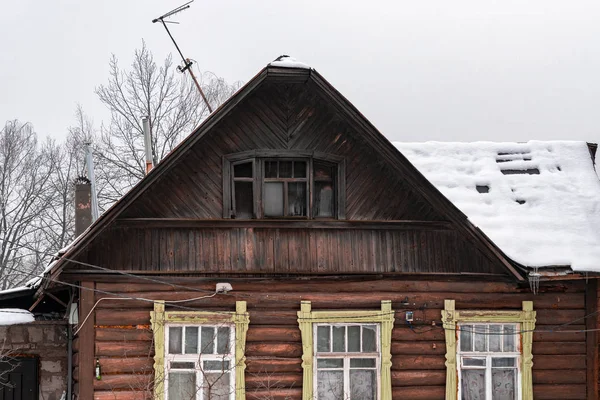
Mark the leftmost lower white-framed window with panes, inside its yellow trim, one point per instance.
(200, 362)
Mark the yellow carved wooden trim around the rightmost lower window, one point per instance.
(452, 317)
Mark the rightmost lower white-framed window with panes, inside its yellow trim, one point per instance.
(488, 361)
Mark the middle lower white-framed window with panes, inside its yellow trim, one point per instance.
(347, 361)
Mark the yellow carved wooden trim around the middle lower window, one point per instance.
(384, 317)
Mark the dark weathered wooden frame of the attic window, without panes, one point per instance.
(257, 157)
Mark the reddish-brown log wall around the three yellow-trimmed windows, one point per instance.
(123, 341)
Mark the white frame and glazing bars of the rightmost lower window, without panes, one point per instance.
(488, 355)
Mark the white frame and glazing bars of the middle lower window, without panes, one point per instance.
(347, 356)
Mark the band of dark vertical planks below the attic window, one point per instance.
(272, 250)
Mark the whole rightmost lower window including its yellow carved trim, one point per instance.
(488, 353)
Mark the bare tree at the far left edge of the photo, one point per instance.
(26, 168)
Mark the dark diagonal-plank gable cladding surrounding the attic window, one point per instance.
(290, 117)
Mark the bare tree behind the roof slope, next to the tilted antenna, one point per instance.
(146, 89)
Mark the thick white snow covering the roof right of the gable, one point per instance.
(539, 202)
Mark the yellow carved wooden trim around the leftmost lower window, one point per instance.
(239, 318)
